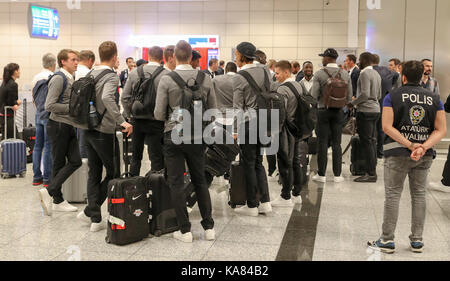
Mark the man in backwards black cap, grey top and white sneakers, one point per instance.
(244, 100)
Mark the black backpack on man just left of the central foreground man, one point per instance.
(143, 97)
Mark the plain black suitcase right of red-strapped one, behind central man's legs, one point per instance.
(163, 217)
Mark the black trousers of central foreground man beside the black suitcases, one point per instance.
(176, 156)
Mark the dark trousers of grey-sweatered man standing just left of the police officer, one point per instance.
(366, 123)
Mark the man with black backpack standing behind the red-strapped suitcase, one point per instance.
(145, 128)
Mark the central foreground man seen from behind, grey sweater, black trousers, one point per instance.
(168, 104)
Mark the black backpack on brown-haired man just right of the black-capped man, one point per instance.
(305, 116)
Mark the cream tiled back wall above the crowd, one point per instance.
(283, 29)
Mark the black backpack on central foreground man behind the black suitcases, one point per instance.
(191, 98)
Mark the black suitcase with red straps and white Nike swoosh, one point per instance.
(128, 207)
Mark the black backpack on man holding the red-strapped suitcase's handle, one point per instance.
(83, 92)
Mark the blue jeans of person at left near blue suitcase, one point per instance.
(42, 144)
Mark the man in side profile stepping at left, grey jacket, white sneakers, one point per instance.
(60, 130)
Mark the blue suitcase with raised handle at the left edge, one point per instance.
(13, 158)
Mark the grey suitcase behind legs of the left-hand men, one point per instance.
(74, 188)
